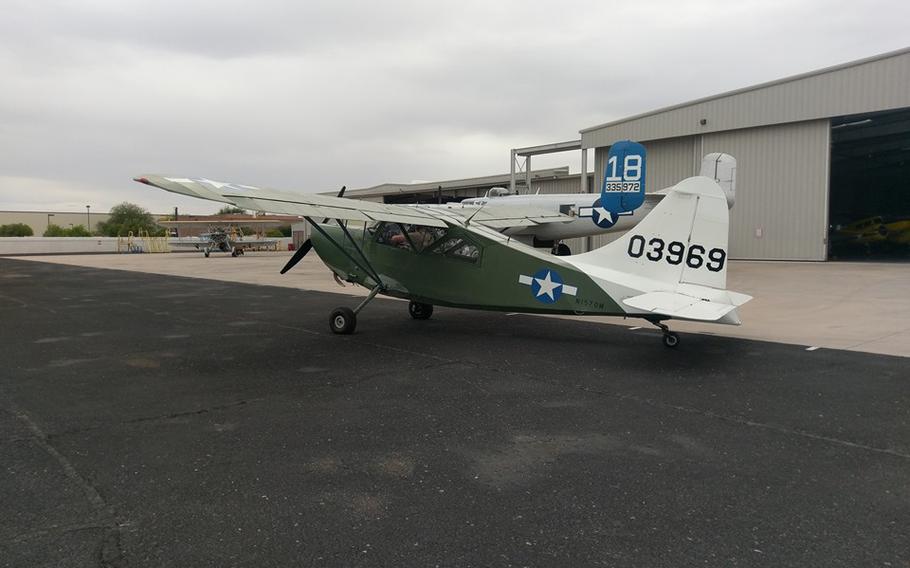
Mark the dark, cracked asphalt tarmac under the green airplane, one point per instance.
(150, 420)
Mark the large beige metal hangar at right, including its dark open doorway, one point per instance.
(814, 152)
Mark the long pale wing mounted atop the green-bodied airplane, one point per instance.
(321, 206)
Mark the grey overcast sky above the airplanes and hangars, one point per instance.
(311, 95)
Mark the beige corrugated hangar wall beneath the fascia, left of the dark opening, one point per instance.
(781, 210)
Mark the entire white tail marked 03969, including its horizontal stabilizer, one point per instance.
(674, 262)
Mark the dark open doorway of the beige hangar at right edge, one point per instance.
(869, 205)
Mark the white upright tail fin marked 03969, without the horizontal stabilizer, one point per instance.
(680, 245)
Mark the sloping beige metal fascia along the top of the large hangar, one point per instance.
(866, 85)
